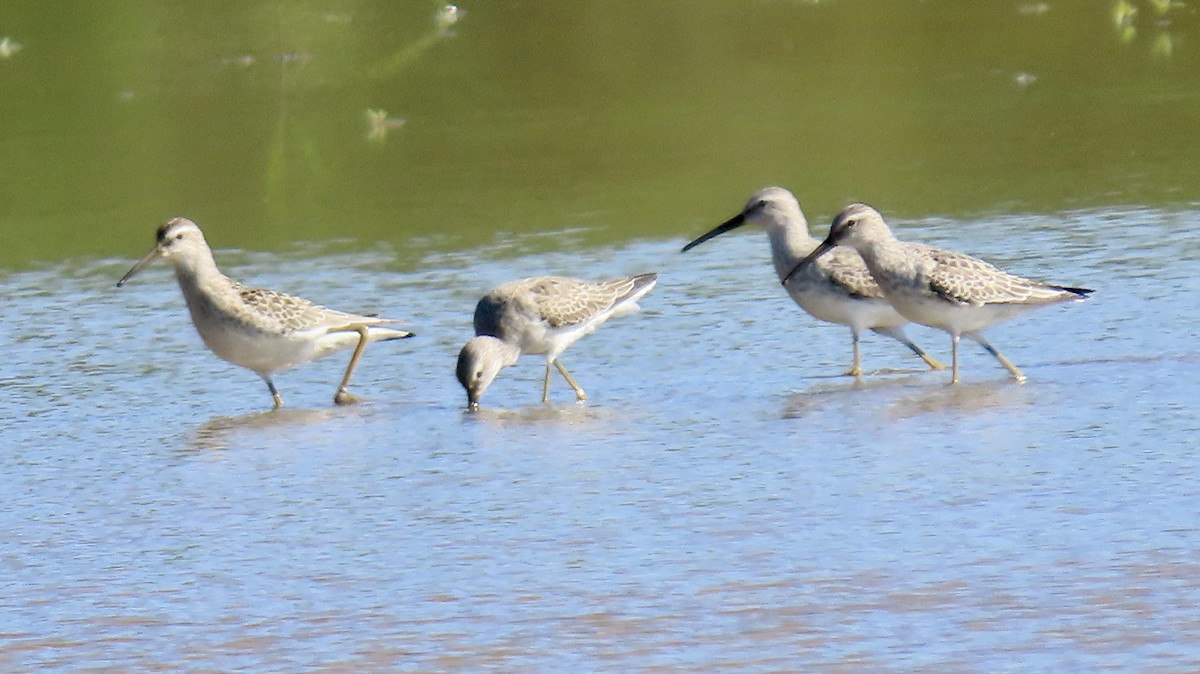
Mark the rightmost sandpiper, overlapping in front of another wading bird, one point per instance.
(938, 288)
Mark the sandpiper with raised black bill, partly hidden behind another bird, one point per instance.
(837, 290)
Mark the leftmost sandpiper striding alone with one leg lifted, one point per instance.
(262, 330)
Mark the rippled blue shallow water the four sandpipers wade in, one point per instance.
(723, 503)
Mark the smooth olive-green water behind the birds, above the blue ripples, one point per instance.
(622, 119)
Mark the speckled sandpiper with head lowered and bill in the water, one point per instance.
(544, 315)
